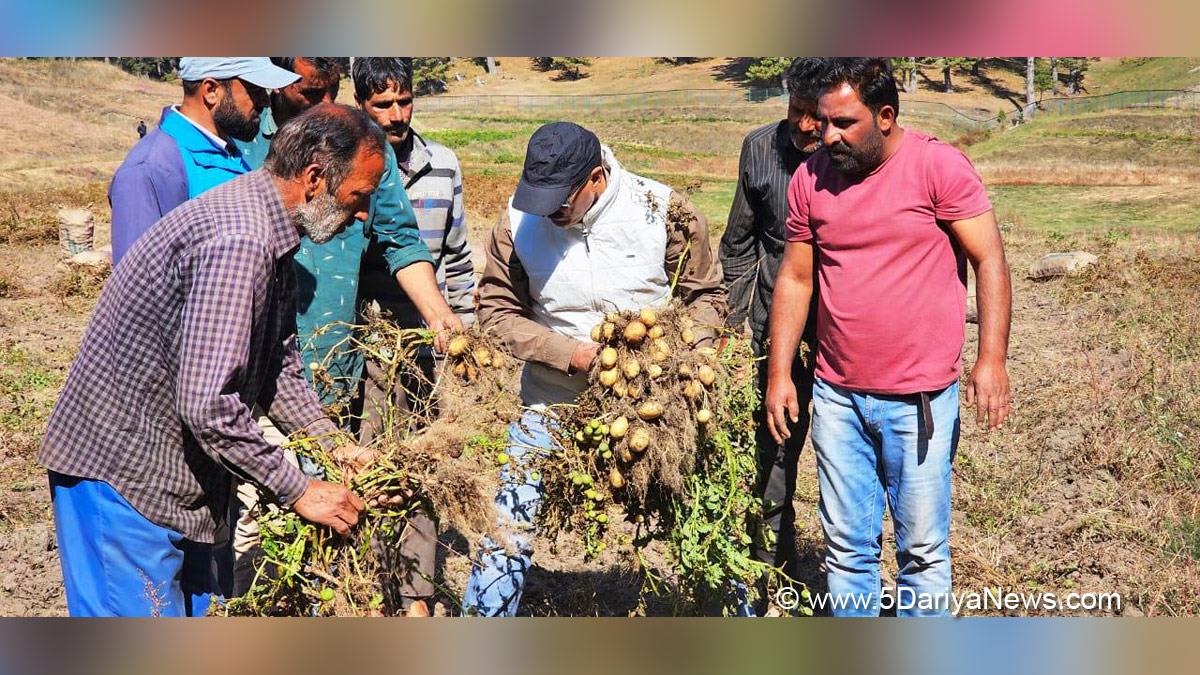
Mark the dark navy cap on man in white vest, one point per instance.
(560, 158)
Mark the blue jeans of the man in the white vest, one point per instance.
(497, 578)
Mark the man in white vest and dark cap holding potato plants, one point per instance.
(581, 237)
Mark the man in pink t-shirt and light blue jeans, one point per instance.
(893, 217)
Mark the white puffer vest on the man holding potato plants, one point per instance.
(613, 261)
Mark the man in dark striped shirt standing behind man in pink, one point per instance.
(751, 253)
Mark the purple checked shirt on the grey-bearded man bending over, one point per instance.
(193, 331)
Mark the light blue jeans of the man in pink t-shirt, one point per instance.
(873, 449)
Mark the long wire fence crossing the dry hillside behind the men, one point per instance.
(755, 104)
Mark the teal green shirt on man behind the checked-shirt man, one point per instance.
(328, 274)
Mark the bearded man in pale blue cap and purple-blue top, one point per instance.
(193, 151)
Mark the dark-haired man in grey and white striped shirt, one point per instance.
(383, 88)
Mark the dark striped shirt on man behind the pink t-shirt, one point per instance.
(753, 244)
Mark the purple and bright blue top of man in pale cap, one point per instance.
(173, 164)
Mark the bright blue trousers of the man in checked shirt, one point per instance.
(116, 563)
